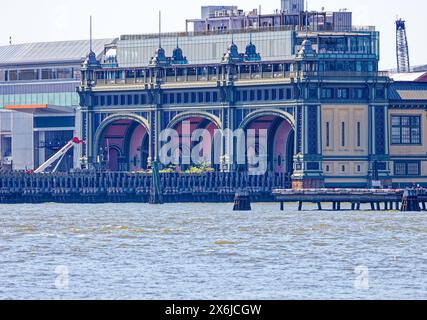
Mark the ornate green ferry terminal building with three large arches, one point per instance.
(319, 96)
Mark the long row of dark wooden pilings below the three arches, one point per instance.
(117, 187)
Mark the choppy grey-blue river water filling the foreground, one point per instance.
(205, 251)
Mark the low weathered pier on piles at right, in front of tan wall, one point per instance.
(337, 199)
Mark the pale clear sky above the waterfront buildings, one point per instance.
(50, 20)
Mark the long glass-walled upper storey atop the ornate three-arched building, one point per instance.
(272, 44)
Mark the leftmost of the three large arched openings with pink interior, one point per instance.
(122, 144)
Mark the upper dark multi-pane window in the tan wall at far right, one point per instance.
(405, 130)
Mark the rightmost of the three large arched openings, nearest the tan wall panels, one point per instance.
(279, 148)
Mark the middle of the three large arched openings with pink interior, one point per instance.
(201, 128)
